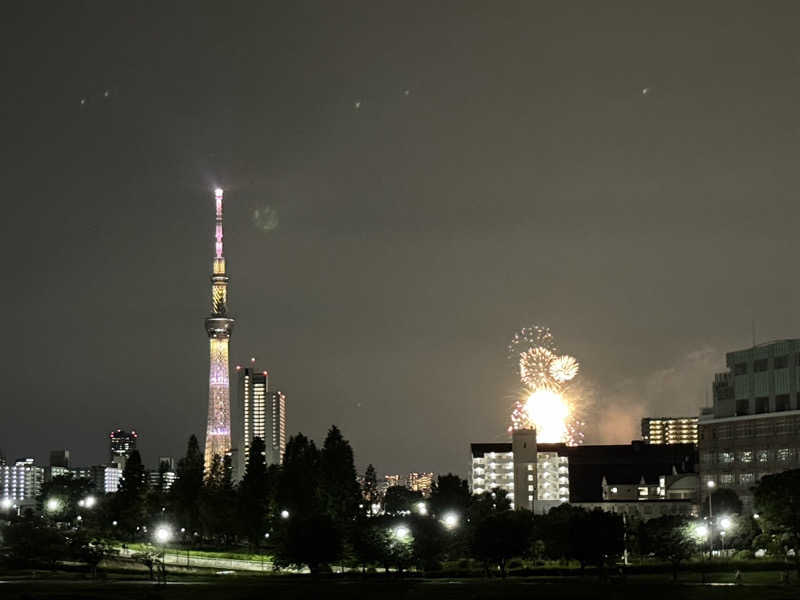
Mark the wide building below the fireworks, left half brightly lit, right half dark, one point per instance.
(540, 476)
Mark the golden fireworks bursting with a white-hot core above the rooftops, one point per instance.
(549, 404)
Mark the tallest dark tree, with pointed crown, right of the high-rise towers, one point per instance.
(339, 489)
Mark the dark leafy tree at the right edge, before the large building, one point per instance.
(777, 500)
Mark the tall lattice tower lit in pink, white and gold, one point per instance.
(218, 326)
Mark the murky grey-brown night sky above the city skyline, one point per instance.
(525, 178)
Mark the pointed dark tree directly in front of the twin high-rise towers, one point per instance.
(253, 493)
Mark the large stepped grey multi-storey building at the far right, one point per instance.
(753, 427)
